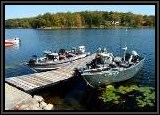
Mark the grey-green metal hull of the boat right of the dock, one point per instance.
(97, 79)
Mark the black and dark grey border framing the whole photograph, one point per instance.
(125, 2)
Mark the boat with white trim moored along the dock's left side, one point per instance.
(53, 60)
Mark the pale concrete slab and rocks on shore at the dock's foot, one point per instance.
(16, 99)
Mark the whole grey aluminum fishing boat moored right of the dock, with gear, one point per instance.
(107, 69)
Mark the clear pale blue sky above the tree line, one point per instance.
(25, 11)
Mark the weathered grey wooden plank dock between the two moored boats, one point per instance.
(43, 79)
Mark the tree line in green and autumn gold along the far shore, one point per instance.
(84, 19)
